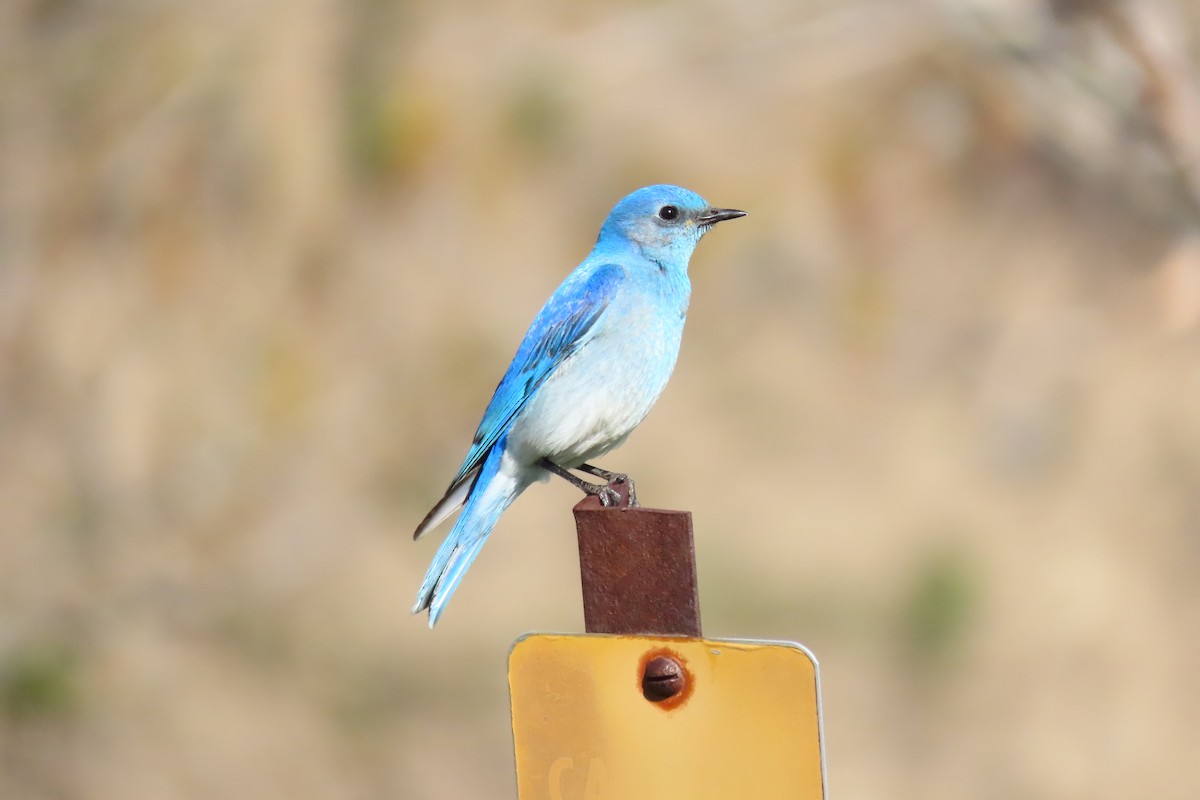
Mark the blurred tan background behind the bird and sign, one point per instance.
(938, 413)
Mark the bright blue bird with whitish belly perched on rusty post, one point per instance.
(595, 362)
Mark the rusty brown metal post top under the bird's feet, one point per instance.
(639, 570)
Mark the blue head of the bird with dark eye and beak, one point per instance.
(665, 222)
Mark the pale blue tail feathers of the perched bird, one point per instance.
(493, 494)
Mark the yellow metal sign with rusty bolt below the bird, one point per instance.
(616, 718)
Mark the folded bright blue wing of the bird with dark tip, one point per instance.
(563, 326)
